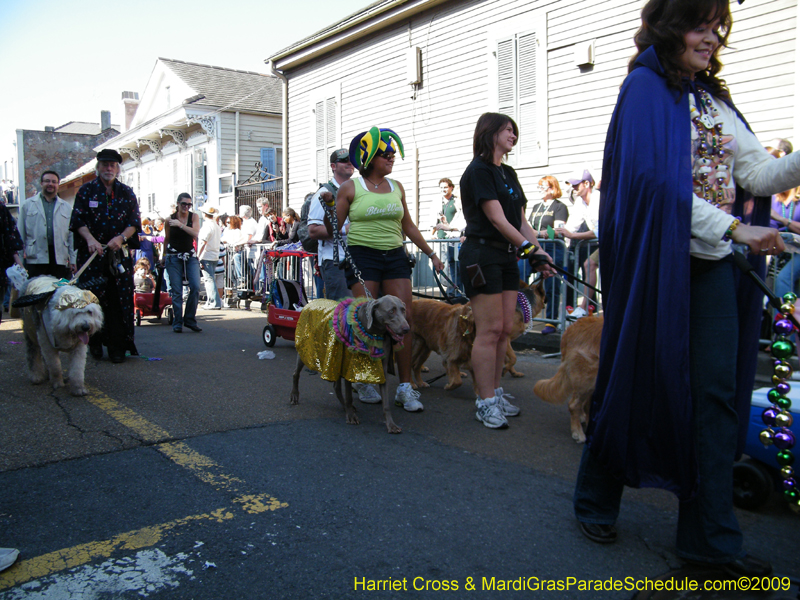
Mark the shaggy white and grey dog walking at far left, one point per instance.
(61, 322)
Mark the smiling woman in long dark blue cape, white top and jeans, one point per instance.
(680, 336)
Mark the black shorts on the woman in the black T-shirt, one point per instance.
(499, 268)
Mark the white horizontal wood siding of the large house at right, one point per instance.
(439, 119)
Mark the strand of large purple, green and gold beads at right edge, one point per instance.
(777, 417)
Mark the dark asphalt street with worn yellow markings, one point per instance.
(186, 474)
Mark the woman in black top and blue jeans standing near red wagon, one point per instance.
(182, 230)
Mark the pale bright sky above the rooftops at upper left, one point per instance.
(67, 60)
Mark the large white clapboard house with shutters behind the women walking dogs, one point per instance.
(429, 68)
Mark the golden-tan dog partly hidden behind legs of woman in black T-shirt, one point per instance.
(449, 330)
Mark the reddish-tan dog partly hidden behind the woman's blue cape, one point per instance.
(574, 381)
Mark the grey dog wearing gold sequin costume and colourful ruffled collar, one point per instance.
(350, 340)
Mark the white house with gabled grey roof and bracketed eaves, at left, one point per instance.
(200, 129)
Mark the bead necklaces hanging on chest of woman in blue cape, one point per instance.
(709, 172)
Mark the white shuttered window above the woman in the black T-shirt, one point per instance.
(519, 80)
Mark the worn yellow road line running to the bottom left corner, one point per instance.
(68, 558)
